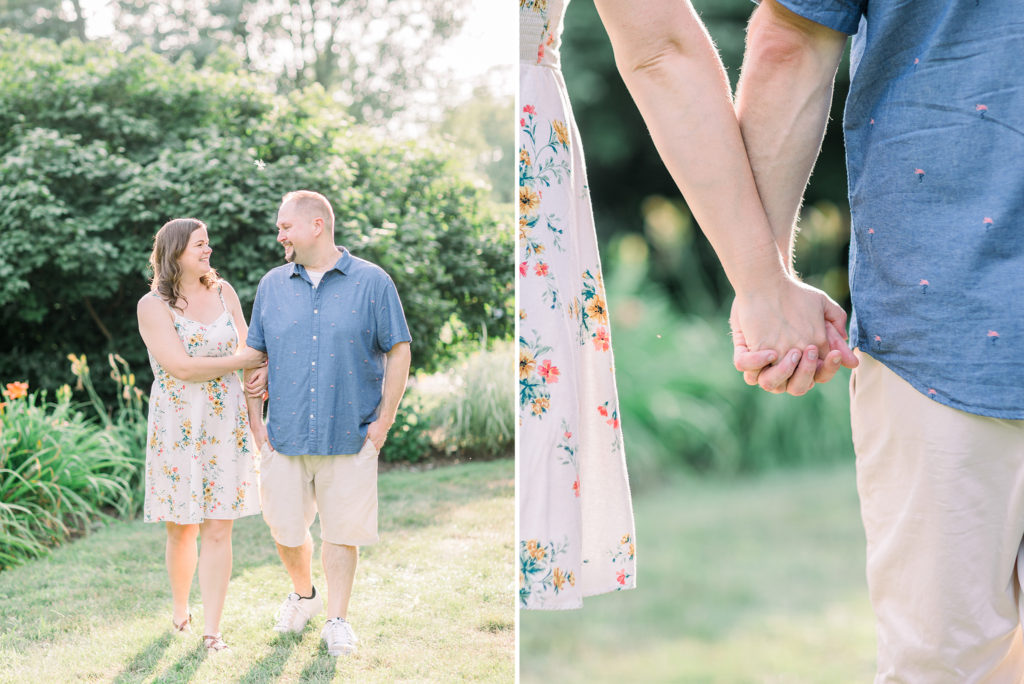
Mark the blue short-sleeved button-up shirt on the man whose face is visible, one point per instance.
(327, 349)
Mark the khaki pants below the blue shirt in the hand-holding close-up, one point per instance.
(943, 501)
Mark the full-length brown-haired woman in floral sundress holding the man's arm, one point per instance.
(201, 466)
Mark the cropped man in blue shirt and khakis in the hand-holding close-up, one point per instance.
(934, 129)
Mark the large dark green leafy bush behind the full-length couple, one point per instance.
(101, 148)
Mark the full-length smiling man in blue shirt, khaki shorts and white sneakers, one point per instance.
(338, 350)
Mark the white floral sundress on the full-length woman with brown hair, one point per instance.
(200, 461)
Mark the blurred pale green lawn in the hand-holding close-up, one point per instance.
(757, 580)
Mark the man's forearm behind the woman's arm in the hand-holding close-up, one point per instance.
(783, 104)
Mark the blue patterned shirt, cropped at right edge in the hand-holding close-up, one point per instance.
(934, 127)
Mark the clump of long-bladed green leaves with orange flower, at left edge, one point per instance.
(59, 473)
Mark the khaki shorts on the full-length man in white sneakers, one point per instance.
(343, 489)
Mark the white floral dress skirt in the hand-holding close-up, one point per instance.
(576, 519)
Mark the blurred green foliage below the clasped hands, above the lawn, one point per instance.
(685, 406)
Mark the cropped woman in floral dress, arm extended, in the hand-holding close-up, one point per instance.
(576, 521)
